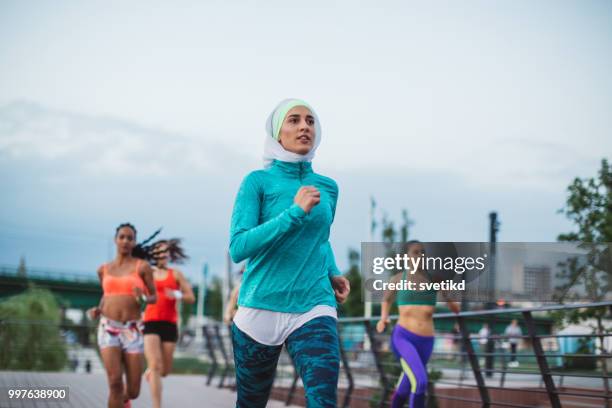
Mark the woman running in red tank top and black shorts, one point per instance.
(160, 330)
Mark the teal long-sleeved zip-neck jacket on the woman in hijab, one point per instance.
(290, 260)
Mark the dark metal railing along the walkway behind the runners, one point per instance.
(457, 376)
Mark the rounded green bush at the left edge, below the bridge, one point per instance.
(30, 335)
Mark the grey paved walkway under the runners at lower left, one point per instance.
(90, 390)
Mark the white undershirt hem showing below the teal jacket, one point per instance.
(273, 328)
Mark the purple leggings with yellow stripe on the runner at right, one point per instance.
(413, 352)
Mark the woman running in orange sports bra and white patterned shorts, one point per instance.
(125, 282)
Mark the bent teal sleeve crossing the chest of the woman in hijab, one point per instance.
(247, 238)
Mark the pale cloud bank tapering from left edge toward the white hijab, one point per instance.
(89, 146)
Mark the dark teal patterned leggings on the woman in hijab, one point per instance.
(315, 352)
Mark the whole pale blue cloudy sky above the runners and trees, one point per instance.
(153, 112)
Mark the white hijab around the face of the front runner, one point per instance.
(272, 148)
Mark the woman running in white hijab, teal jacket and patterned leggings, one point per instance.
(280, 223)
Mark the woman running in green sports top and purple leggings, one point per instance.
(412, 339)
